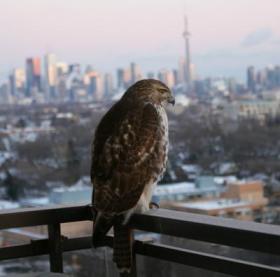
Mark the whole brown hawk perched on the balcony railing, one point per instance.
(129, 155)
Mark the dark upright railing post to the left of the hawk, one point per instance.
(55, 248)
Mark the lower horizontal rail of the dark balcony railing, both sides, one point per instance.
(174, 254)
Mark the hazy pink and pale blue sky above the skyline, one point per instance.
(227, 35)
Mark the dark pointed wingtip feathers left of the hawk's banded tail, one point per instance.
(102, 225)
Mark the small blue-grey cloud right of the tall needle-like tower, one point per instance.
(257, 37)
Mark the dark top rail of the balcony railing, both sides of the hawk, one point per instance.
(242, 234)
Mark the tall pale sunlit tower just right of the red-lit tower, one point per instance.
(50, 75)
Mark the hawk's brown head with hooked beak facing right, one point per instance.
(150, 90)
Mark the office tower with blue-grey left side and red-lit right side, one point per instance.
(33, 75)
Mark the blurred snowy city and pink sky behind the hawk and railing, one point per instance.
(64, 63)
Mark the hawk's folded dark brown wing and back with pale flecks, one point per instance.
(123, 145)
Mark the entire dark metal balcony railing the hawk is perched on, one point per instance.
(246, 235)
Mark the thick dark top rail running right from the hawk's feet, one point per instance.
(231, 232)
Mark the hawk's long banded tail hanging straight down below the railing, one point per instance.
(123, 247)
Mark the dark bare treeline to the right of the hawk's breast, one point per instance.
(252, 144)
